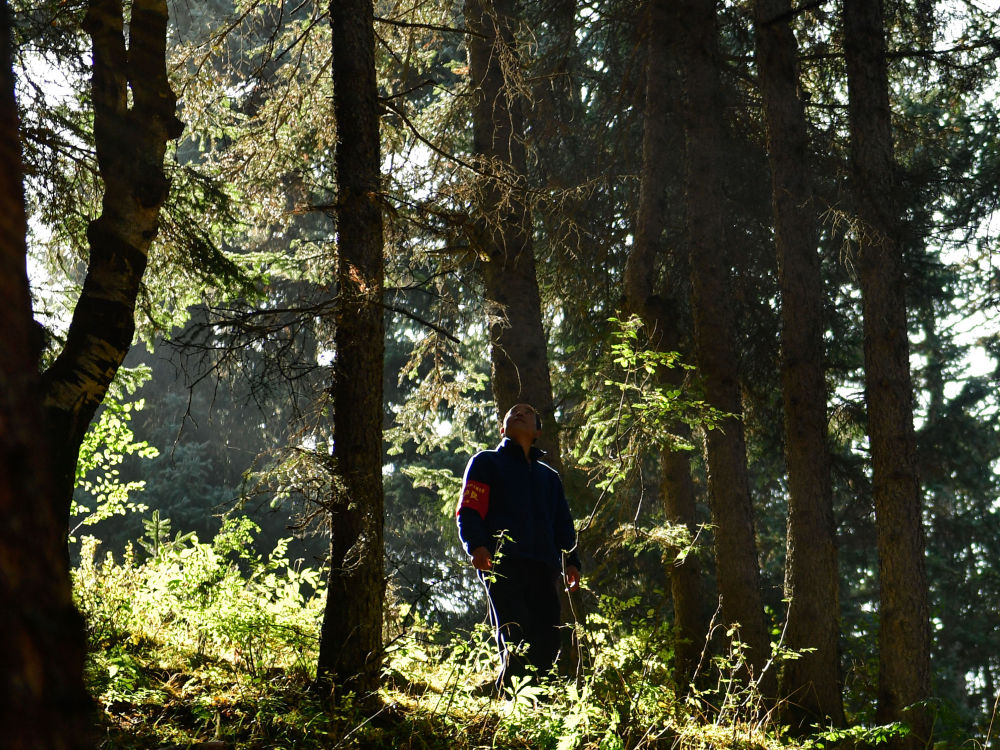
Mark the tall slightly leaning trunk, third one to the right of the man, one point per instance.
(811, 684)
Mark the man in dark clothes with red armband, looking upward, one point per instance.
(515, 524)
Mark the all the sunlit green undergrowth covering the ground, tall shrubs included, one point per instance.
(207, 642)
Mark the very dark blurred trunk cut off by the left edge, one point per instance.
(43, 702)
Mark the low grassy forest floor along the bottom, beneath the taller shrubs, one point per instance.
(149, 699)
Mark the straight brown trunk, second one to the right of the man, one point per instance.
(728, 485)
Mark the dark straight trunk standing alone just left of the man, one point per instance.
(351, 638)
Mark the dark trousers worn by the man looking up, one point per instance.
(524, 609)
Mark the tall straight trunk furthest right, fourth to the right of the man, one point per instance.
(904, 631)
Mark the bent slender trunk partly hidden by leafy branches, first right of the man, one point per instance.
(659, 317)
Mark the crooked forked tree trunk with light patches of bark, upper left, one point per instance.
(130, 144)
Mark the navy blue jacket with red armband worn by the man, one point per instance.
(502, 491)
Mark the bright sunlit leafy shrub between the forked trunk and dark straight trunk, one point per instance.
(215, 600)
